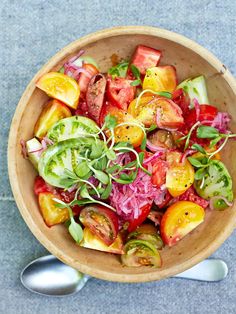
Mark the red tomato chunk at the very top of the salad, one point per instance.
(145, 57)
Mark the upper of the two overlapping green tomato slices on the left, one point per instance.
(72, 127)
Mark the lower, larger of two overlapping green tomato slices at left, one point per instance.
(65, 155)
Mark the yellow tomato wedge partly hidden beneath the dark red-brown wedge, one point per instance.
(91, 241)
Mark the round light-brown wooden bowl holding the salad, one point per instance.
(190, 59)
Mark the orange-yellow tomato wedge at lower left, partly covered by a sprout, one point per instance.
(52, 215)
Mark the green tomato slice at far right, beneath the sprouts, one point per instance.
(217, 182)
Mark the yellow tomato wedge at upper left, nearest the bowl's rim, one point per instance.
(61, 87)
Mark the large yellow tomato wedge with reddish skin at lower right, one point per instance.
(180, 219)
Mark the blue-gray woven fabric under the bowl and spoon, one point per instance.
(30, 33)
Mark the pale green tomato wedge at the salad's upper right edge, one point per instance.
(195, 88)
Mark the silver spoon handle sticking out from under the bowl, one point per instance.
(207, 270)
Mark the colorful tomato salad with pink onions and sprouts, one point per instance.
(129, 160)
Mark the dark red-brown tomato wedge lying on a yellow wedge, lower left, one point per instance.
(101, 221)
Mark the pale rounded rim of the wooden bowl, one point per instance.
(13, 147)
